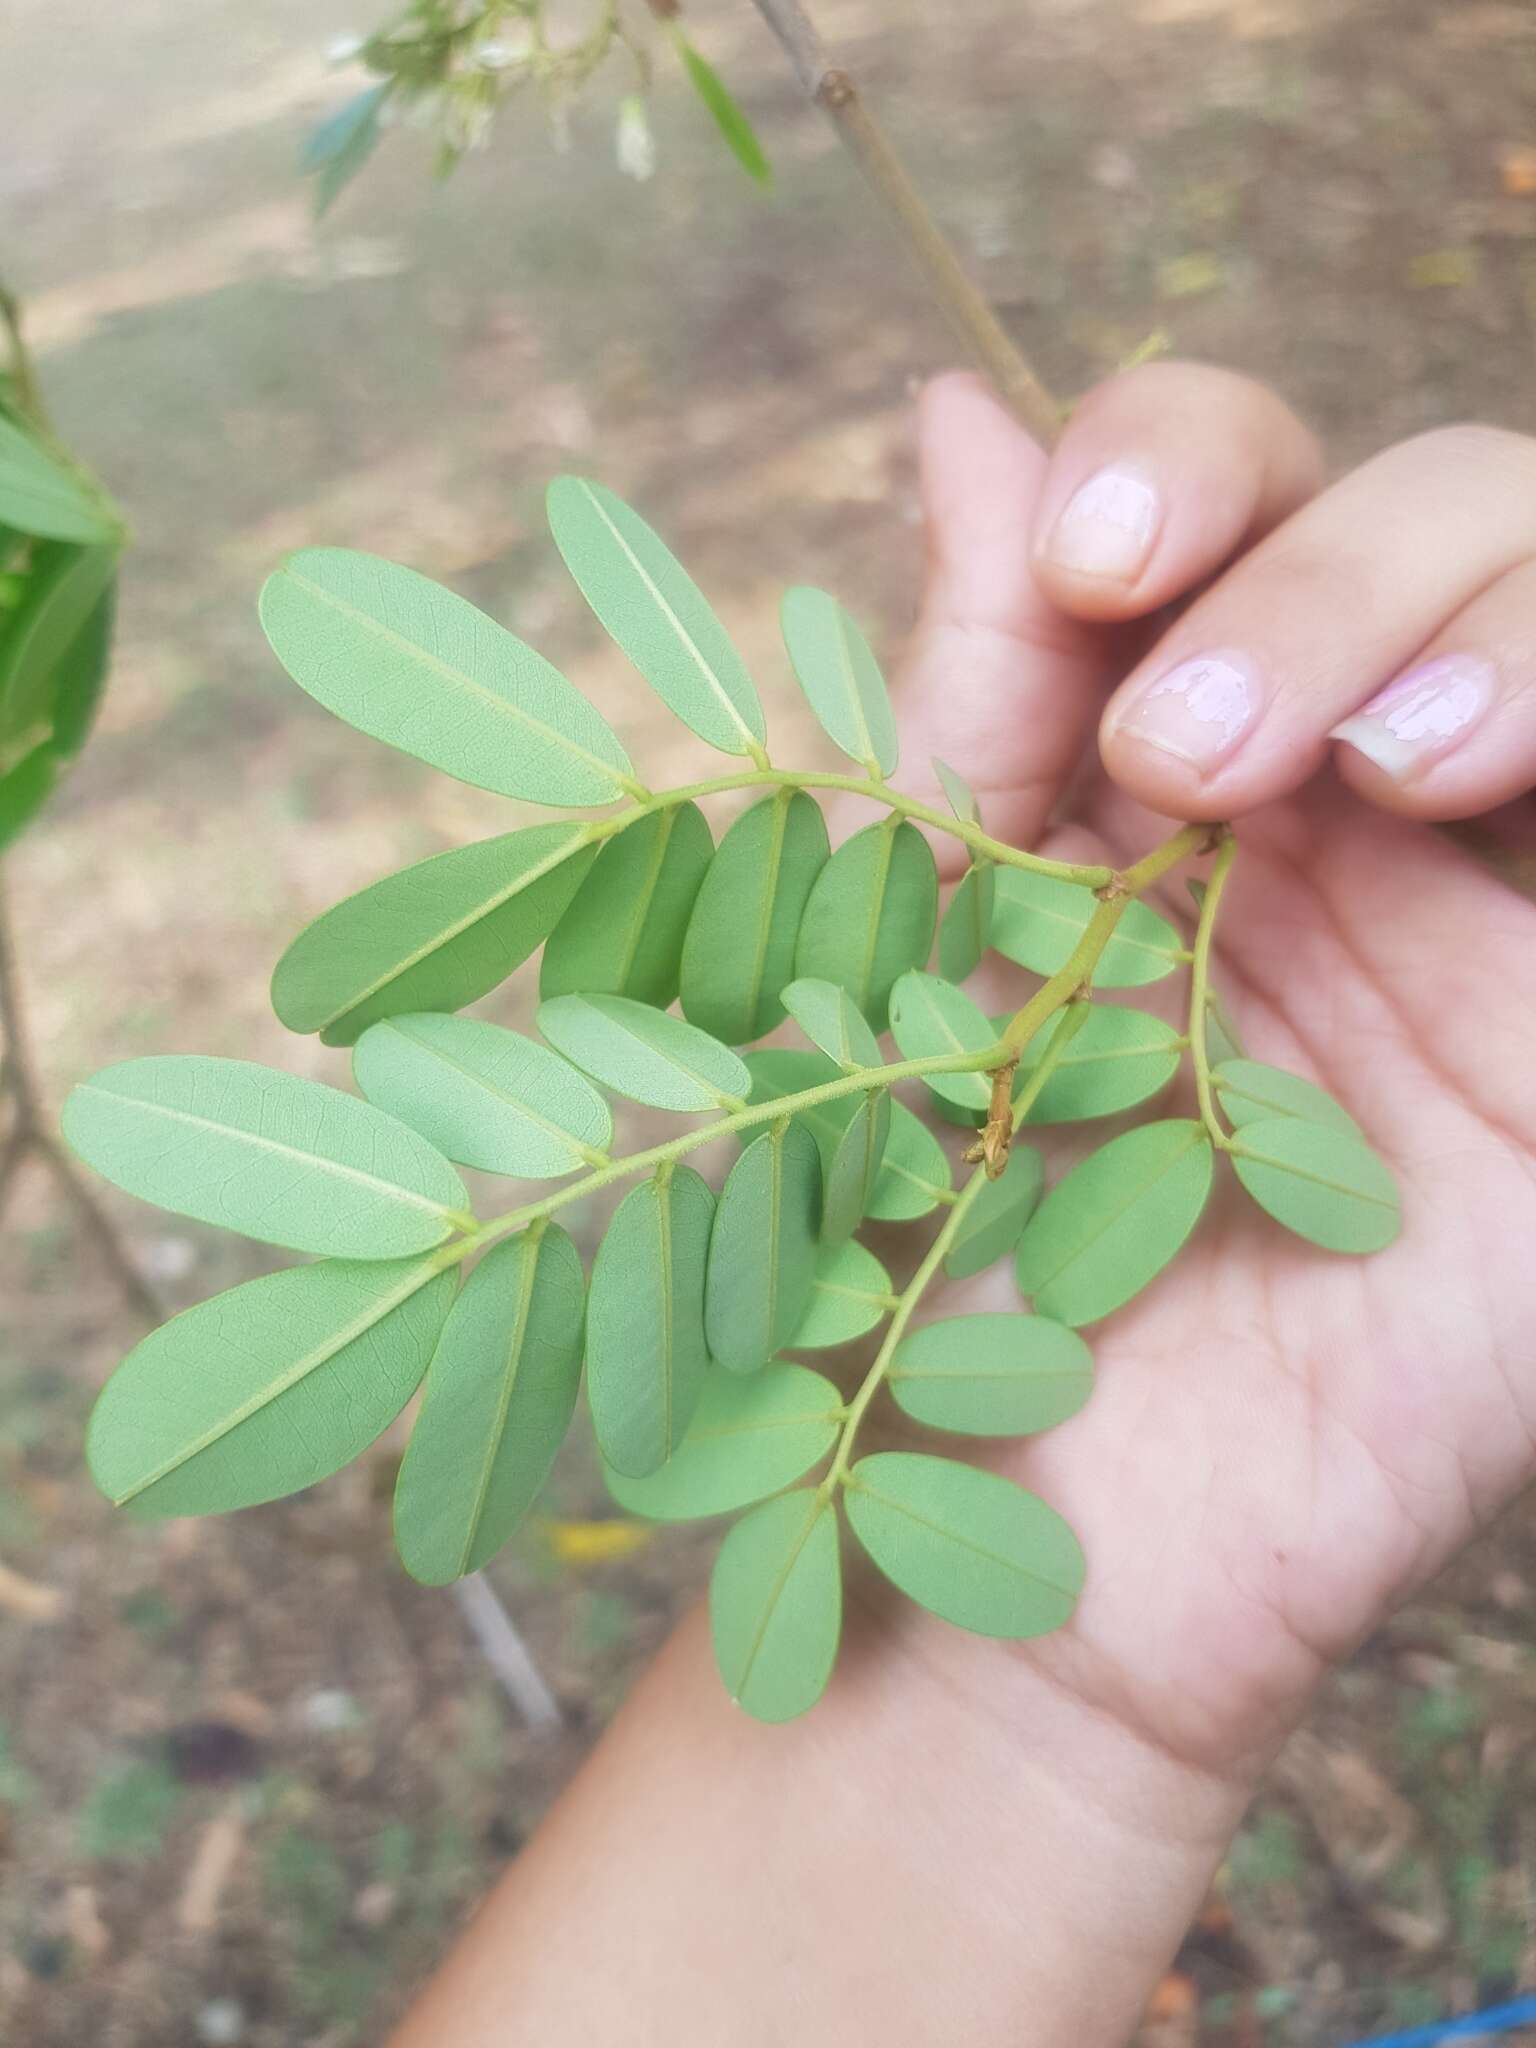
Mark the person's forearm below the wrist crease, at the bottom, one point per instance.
(916, 1863)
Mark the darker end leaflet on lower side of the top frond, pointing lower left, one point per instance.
(433, 937)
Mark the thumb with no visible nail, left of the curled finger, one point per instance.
(998, 683)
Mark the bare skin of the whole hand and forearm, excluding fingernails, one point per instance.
(1000, 1844)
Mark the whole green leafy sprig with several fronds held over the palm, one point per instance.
(703, 1302)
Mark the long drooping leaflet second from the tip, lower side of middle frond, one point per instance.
(499, 1402)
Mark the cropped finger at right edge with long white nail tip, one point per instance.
(1455, 732)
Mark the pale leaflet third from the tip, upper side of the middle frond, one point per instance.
(646, 1054)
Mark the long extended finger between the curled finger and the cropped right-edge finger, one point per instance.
(1236, 703)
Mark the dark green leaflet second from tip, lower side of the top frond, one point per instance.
(626, 927)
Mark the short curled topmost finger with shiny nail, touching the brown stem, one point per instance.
(1160, 478)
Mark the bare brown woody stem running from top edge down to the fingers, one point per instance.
(974, 321)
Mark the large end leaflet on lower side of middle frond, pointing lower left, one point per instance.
(267, 1390)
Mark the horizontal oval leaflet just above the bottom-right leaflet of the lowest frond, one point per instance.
(992, 1375)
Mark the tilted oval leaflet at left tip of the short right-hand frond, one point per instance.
(1115, 1222)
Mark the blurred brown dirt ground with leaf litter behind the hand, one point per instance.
(251, 1777)
